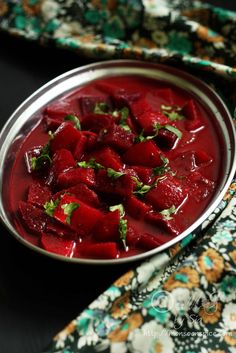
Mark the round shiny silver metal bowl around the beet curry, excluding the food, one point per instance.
(25, 118)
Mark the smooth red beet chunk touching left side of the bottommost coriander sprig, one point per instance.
(107, 228)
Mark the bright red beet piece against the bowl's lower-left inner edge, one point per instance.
(57, 245)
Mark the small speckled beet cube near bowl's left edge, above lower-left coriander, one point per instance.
(38, 194)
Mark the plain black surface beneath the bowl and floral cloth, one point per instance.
(38, 295)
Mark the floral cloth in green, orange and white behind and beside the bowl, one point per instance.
(184, 299)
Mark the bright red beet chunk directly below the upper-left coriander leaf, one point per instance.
(65, 136)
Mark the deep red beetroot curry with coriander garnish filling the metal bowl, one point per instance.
(127, 168)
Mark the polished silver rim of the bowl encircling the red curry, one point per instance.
(103, 66)
